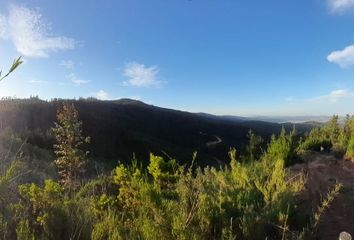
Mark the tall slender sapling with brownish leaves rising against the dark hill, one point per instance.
(70, 159)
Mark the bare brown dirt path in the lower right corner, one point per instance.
(323, 173)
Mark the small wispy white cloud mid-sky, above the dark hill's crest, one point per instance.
(141, 76)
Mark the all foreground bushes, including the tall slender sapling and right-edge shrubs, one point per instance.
(250, 198)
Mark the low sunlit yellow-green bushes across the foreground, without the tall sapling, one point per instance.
(166, 201)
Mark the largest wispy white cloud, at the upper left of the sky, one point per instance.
(30, 34)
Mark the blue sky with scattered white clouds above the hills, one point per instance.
(245, 58)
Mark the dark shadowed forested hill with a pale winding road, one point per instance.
(122, 127)
